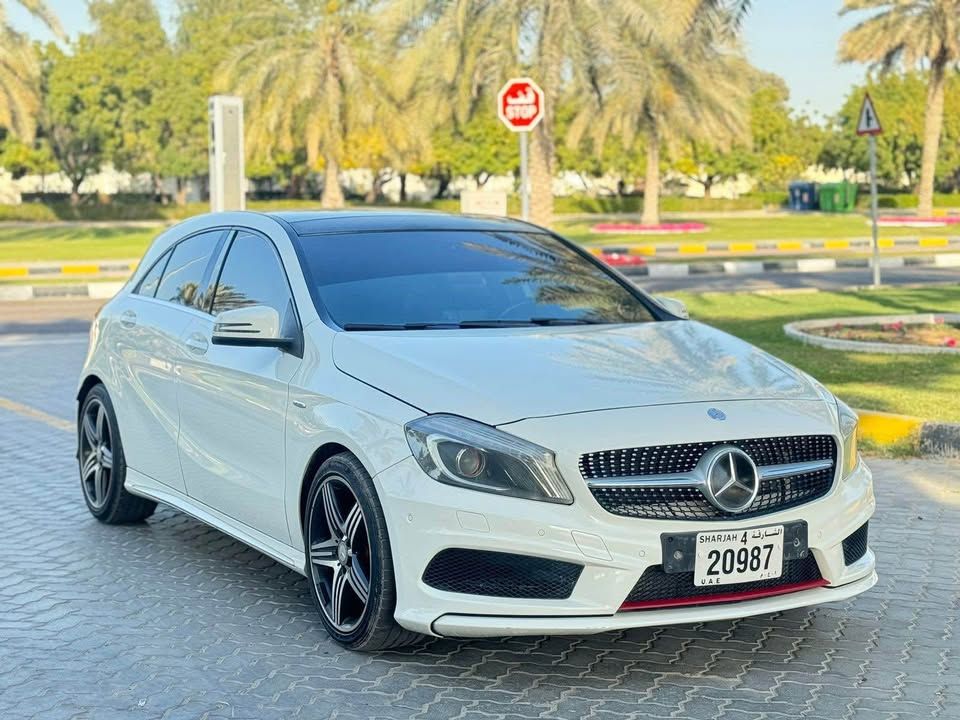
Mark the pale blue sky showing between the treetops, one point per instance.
(796, 39)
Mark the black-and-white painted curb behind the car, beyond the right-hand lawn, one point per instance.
(800, 265)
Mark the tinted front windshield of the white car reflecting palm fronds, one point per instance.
(444, 278)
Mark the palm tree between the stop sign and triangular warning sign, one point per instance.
(692, 85)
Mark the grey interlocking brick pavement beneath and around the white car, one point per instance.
(170, 619)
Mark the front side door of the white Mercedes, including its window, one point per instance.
(233, 400)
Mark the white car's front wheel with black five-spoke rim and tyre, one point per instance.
(349, 563)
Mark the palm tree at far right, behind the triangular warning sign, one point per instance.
(910, 32)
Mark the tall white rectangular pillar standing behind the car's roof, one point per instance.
(227, 183)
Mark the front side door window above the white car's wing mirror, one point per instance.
(252, 275)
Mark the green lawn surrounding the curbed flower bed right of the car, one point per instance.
(927, 386)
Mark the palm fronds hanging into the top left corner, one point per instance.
(20, 71)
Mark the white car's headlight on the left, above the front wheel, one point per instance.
(469, 454)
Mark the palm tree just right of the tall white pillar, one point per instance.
(306, 79)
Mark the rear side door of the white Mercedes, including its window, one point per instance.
(147, 341)
